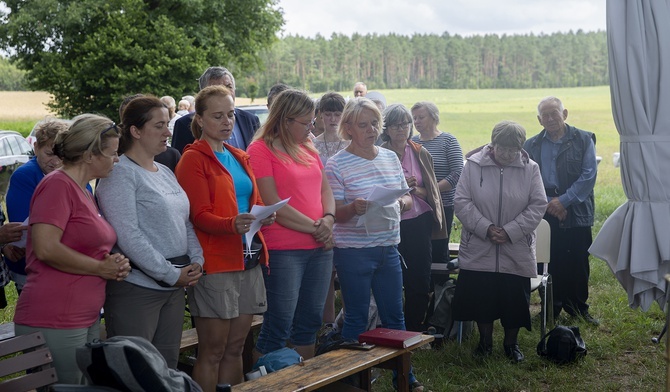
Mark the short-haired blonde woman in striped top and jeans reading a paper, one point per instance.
(366, 233)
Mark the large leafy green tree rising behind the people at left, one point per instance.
(91, 53)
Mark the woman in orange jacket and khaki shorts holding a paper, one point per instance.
(222, 189)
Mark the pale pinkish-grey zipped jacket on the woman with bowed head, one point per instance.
(511, 197)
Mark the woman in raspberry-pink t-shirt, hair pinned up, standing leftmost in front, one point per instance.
(68, 246)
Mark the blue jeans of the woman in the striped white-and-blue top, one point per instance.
(361, 270)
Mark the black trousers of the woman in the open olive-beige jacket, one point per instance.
(415, 248)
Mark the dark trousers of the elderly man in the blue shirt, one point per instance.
(569, 267)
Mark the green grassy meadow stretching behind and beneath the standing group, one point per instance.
(620, 356)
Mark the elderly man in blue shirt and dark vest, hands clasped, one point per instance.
(567, 160)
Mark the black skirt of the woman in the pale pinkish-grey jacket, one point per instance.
(487, 296)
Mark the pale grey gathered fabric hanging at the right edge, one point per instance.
(635, 239)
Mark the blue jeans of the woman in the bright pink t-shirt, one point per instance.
(296, 285)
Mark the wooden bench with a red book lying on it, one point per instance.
(325, 371)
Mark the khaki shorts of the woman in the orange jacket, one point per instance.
(226, 295)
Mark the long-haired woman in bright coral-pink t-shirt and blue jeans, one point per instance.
(287, 165)
